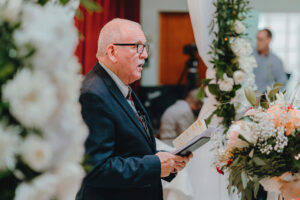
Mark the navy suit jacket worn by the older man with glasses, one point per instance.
(124, 166)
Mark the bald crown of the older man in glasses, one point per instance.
(114, 32)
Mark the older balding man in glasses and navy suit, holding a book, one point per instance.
(121, 147)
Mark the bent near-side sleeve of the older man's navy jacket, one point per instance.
(109, 170)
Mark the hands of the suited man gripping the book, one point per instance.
(171, 163)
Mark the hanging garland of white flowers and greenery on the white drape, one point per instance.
(232, 60)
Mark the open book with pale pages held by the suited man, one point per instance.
(192, 138)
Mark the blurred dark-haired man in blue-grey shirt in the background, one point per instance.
(270, 68)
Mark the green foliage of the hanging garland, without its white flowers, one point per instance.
(224, 60)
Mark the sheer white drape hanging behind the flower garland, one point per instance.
(206, 182)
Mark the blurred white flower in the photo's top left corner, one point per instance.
(10, 10)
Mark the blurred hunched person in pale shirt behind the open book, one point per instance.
(179, 117)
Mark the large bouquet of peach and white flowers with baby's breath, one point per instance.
(263, 146)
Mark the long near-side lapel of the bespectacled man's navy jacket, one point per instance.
(116, 93)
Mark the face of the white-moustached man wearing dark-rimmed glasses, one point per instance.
(130, 62)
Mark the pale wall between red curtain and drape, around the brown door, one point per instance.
(150, 10)
